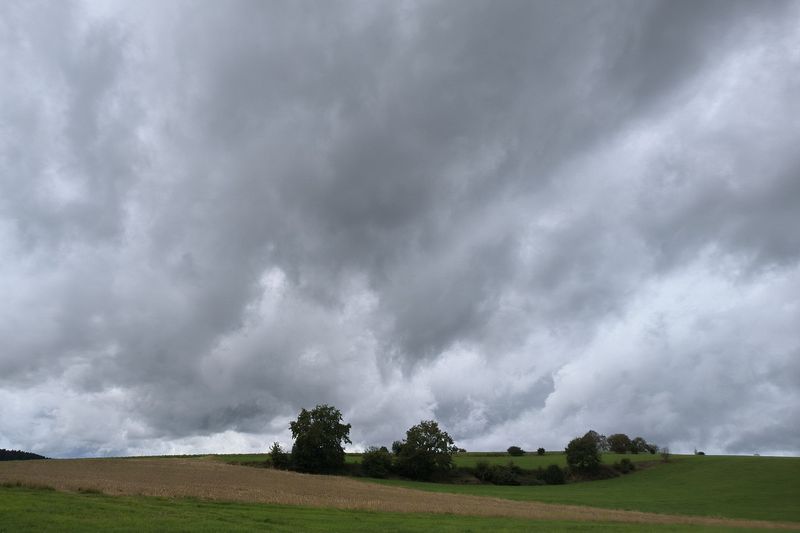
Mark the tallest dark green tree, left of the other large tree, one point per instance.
(319, 435)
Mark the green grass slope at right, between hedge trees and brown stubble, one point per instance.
(761, 488)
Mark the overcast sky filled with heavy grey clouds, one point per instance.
(523, 219)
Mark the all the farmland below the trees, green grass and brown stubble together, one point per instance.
(203, 493)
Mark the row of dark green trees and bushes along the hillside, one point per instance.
(427, 452)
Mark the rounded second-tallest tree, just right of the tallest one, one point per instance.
(427, 450)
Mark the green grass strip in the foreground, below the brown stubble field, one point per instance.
(26, 509)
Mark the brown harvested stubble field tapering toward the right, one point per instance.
(212, 480)
